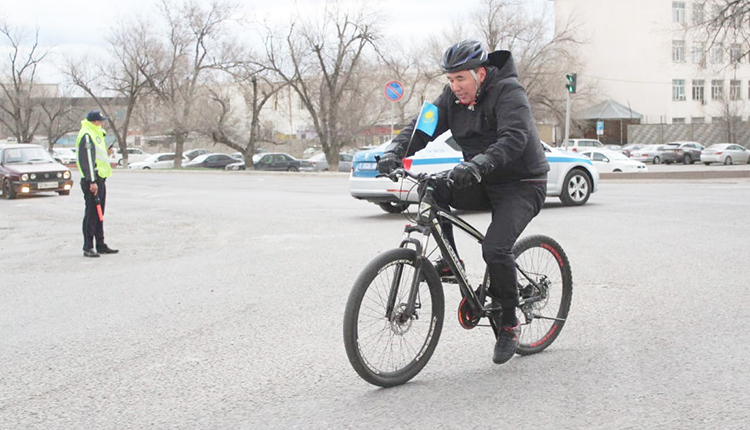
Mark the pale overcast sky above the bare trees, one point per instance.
(77, 25)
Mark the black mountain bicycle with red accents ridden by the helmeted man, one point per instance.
(395, 310)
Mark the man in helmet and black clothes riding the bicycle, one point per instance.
(504, 167)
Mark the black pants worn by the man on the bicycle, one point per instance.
(513, 205)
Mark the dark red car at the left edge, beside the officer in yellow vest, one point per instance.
(30, 169)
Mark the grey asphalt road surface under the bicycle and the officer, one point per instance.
(223, 310)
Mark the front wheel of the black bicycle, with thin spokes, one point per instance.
(408, 345)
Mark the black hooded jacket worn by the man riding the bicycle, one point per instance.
(500, 125)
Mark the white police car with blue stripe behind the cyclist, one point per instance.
(572, 177)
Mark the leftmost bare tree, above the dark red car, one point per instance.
(20, 98)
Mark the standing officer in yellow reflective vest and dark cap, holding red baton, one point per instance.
(93, 164)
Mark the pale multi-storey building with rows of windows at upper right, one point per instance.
(653, 56)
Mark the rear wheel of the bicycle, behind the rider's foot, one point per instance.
(543, 260)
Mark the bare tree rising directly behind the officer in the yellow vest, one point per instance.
(121, 76)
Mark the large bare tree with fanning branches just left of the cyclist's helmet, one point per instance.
(319, 57)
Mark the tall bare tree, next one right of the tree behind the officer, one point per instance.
(193, 49)
